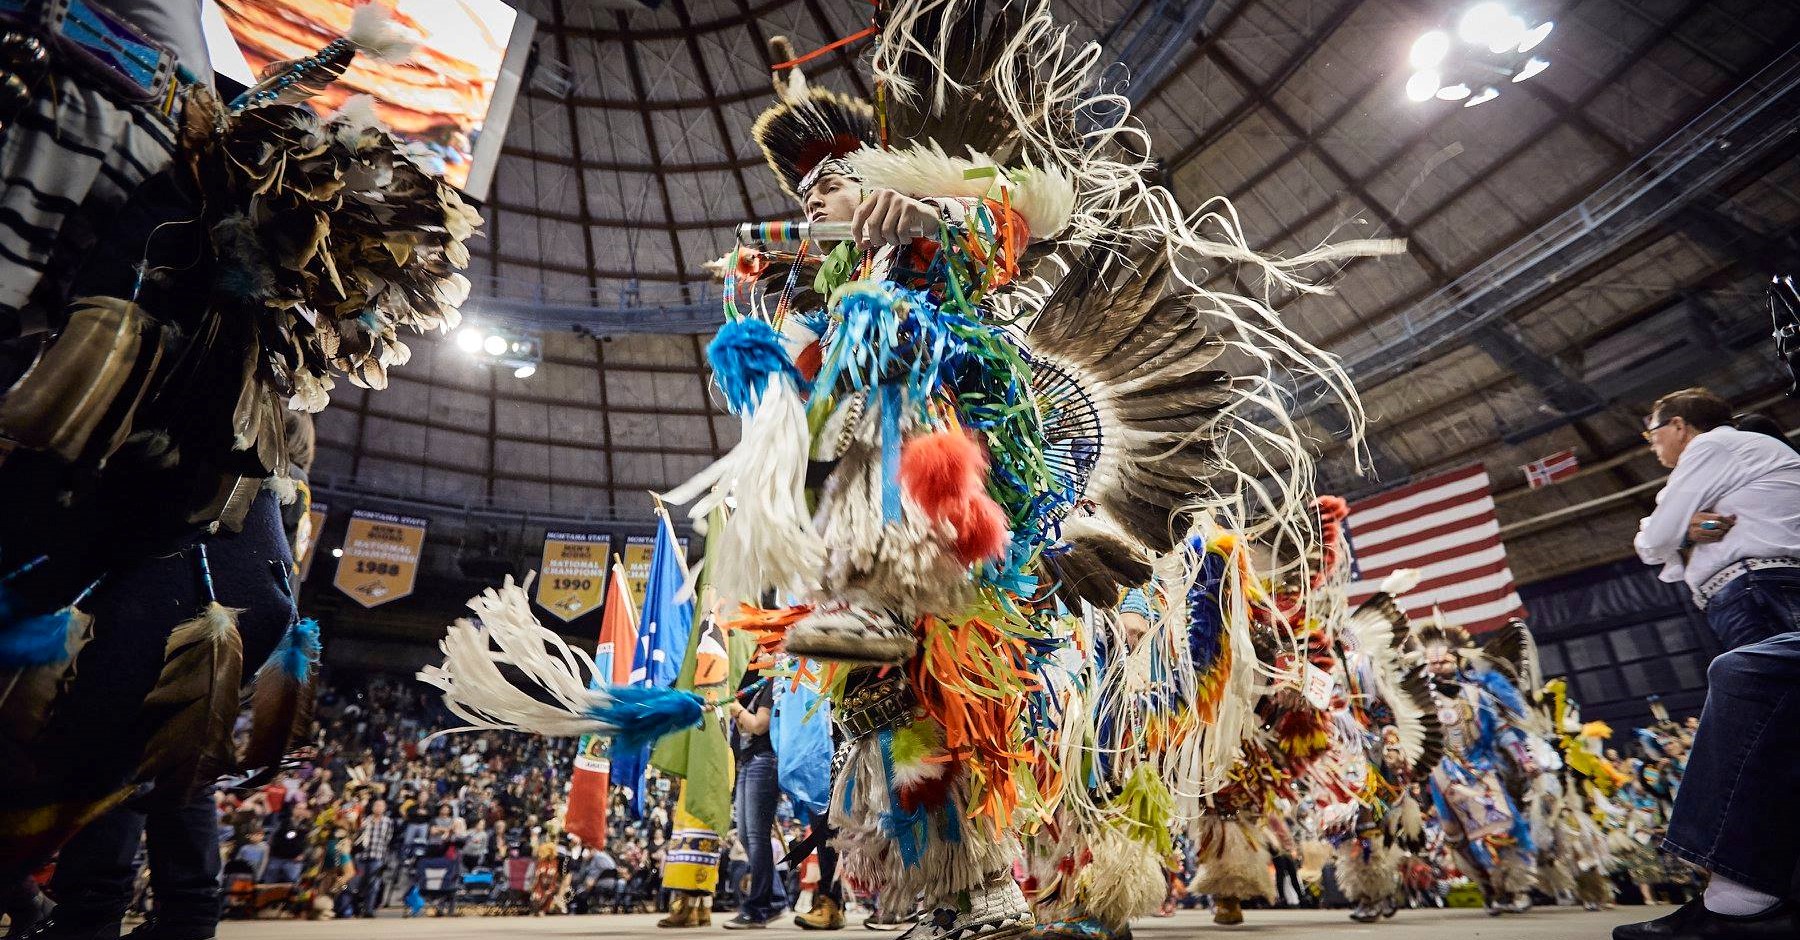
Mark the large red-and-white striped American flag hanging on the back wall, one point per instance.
(1446, 529)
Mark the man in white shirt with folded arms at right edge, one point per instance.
(1729, 525)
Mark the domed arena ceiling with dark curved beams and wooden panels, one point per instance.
(1585, 242)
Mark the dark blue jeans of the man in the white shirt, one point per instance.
(1736, 813)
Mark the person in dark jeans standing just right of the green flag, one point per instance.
(759, 793)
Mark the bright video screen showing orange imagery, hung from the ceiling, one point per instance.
(451, 96)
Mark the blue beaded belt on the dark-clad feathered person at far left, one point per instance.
(109, 50)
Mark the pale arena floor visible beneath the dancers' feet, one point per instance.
(1461, 925)
